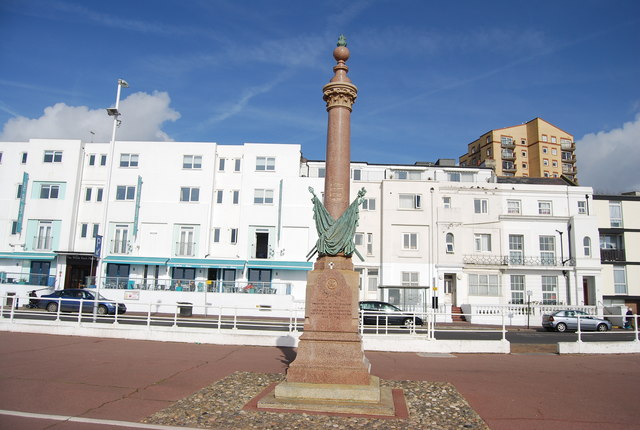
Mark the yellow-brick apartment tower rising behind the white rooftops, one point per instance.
(534, 149)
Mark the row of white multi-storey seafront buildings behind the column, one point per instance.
(222, 225)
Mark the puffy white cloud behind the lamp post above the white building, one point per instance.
(142, 118)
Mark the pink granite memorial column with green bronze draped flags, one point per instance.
(330, 349)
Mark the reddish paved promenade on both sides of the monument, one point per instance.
(94, 381)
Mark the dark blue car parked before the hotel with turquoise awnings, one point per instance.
(69, 301)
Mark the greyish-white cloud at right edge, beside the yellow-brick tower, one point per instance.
(608, 160)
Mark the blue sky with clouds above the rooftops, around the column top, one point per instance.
(432, 75)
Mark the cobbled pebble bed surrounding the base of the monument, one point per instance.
(432, 405)
